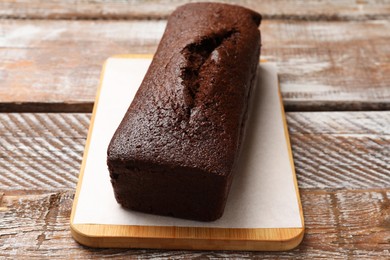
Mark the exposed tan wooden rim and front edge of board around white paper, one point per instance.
(204, 237)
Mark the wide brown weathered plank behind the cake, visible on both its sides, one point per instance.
(54, 65)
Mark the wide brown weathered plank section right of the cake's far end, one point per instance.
(329, 66)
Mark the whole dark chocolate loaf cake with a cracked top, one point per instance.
(176, 149)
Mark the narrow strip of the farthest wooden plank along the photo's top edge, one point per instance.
(158, 9)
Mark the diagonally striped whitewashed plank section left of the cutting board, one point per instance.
(41, 150)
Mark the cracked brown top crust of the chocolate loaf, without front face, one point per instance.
(190, 107)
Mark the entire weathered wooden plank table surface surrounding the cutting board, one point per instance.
(334, 63)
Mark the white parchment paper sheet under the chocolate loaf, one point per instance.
(263, 193)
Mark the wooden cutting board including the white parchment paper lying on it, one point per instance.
(263, 210)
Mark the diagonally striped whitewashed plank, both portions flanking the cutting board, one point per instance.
(331, 150)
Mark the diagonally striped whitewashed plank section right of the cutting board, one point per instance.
(341, 150)
